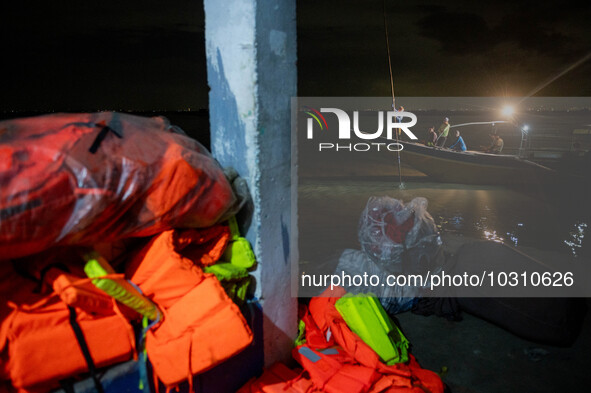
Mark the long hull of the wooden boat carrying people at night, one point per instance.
(472, 167)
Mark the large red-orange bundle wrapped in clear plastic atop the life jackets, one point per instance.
(99, 177)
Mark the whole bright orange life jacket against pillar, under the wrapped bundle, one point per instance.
(201, 326)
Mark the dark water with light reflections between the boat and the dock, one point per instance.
(329, 212)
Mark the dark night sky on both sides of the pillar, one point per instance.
(142, 55)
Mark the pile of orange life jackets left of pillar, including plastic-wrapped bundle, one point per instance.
(75, 181)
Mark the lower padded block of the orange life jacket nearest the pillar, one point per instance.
(199, 331)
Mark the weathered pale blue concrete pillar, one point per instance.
(251, 71)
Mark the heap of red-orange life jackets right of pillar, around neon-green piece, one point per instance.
(339, 361)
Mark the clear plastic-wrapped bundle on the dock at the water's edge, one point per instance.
(395, 238)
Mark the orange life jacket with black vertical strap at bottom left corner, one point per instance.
(42, 347)
